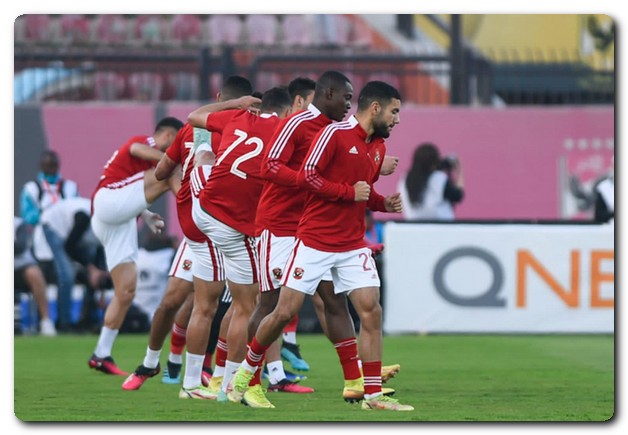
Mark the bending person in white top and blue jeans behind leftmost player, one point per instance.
(66, 225)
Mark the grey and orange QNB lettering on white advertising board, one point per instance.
(526, 264)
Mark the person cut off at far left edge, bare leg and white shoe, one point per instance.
(28, 276)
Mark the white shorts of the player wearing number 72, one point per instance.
(239, 251)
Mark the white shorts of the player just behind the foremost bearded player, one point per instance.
(274, 253)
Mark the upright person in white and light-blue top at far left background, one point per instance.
(39, 194)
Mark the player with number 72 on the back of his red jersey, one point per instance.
(226, 214)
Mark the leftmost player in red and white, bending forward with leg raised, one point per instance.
(126, 189)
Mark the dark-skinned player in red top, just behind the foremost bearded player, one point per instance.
(279, 211)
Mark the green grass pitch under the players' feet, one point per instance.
(447, 378)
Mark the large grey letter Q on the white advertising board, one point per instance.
(490, 298)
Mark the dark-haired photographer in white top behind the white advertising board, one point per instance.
(432, 186)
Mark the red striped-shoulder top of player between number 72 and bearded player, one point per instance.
(281, 203)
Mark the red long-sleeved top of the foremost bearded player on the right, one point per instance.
(339, 157)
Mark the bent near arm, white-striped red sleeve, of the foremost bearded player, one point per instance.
(309, 177)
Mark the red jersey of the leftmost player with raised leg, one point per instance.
(122, 168)
